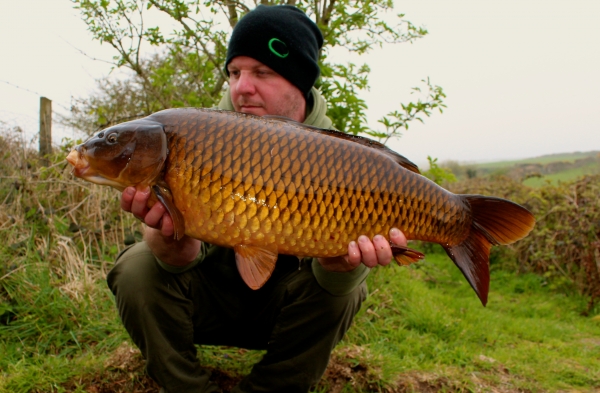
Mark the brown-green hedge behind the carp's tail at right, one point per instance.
(564, 246)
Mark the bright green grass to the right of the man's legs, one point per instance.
(428, 319)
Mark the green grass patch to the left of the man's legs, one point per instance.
(51, 335)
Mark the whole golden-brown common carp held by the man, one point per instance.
(268, 185)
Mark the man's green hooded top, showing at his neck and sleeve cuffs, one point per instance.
(334, 283)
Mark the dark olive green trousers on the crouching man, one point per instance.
(291, 317)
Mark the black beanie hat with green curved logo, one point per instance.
(284, 39)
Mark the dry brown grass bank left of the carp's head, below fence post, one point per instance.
(71, 224)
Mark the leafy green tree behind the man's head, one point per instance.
(186, 68)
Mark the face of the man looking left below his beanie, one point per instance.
(257, 89)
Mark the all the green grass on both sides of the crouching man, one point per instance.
(423, 322)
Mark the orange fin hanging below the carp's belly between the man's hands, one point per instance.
(255, 264)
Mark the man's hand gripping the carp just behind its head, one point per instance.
(159, 234)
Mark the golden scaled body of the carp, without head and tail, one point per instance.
(271, 183)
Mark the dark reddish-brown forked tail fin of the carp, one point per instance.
(495, 221)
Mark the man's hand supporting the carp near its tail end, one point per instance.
(370, 253)
